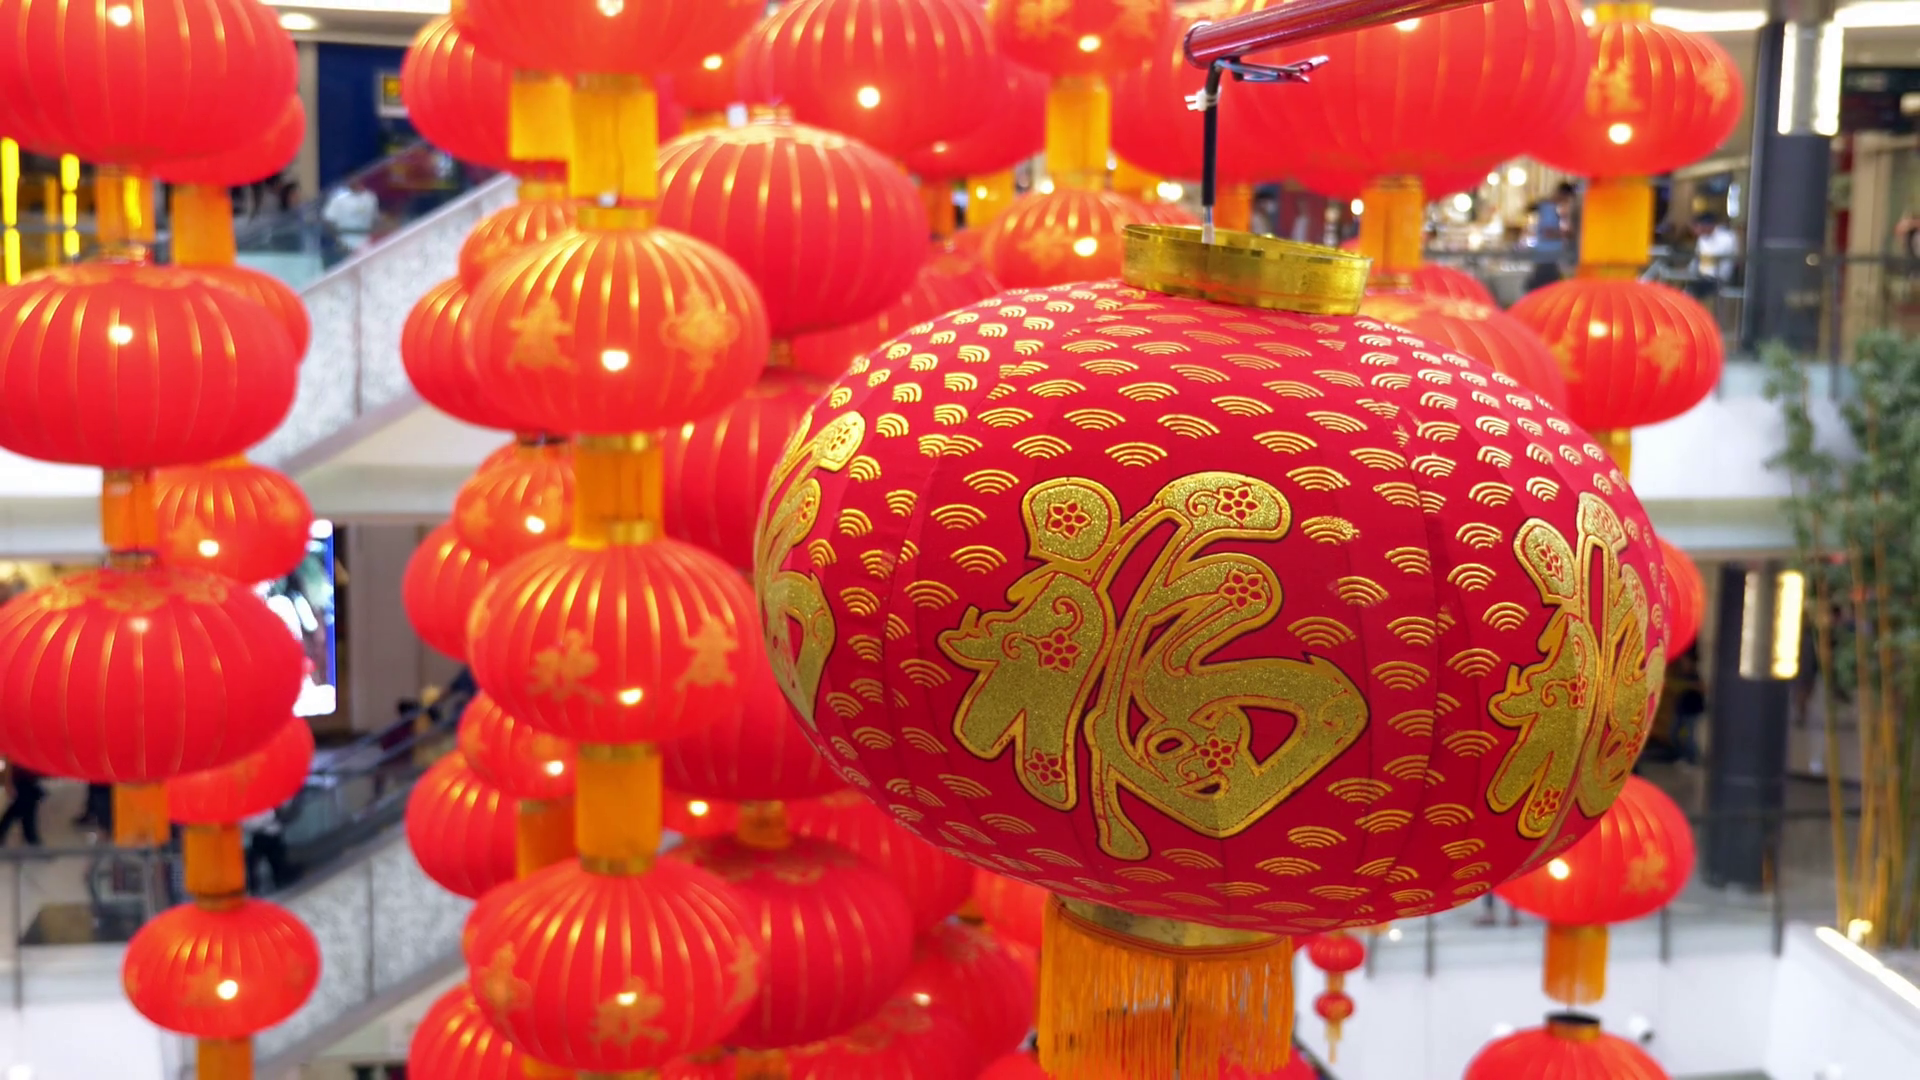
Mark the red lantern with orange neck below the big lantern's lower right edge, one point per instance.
(1633, 866)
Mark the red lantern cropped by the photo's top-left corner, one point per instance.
(147, 82)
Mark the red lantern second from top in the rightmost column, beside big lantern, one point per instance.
(1633, 353)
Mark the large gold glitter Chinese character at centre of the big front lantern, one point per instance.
(1070, 652)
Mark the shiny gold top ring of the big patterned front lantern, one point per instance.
(1245, 270)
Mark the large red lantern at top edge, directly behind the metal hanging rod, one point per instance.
(1476, 86)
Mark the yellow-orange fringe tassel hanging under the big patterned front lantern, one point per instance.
(1136, 996)
